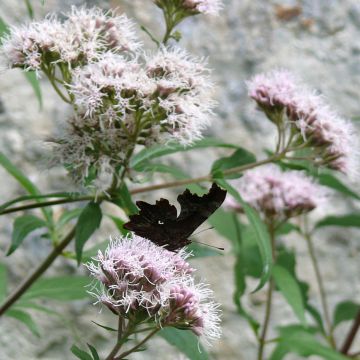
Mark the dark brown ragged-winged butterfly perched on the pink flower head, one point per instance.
(161, 224)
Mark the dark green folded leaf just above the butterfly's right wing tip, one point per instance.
(238, 158)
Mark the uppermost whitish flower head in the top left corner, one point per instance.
(81, 38)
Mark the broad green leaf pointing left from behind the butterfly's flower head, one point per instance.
(59, 288)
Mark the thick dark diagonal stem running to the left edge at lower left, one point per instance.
(37, 272)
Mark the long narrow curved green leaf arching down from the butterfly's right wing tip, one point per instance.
(261, 234)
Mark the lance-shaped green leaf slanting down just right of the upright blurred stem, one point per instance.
(291, 291)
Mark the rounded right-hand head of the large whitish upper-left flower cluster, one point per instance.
(184, 93)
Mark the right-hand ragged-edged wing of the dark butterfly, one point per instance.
(196, 209)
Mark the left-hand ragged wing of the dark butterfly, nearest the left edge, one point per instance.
(154, 222)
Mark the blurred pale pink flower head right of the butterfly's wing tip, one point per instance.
(278, 195)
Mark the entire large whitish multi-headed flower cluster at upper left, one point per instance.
(122, 97)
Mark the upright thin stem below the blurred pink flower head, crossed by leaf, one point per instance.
(269, 296)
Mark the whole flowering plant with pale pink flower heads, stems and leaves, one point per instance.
(128, 107)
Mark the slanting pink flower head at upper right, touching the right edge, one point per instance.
(331, 138)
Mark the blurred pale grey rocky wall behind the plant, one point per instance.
(317, 39)
